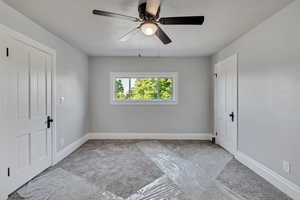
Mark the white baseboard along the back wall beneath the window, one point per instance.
(150, 136)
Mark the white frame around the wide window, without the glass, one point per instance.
(172, 75)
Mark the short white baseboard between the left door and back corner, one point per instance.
(70, 148)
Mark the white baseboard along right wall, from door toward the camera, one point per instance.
(286, 186)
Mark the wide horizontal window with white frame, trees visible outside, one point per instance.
(144, 88)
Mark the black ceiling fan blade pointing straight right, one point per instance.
(188, 20)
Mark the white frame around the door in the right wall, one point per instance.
(235, 142)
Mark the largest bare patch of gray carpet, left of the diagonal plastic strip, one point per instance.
(117, 167)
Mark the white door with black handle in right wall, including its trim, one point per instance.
(226, 103)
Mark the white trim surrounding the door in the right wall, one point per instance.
(235, 57)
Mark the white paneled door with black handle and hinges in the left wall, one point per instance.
(25, 106)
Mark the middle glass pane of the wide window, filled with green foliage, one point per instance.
(144, 89)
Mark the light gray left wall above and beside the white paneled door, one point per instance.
(72, 75)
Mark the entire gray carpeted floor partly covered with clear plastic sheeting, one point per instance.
(148, 170)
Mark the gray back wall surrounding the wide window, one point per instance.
(191, 115)
